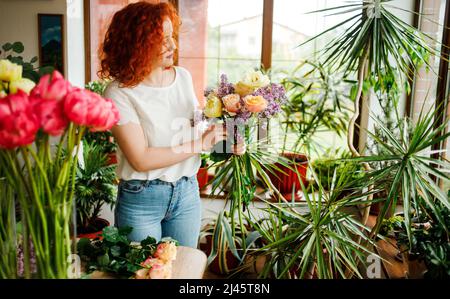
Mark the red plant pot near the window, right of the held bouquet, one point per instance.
(286, 180)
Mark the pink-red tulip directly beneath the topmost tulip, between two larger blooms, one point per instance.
(51, 115)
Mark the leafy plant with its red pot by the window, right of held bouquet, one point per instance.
(317, 102)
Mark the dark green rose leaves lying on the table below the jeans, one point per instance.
(115, 254)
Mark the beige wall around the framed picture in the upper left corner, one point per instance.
(18, 22)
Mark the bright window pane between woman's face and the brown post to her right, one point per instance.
(234, 38)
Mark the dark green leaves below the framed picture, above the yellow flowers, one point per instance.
(29, 71)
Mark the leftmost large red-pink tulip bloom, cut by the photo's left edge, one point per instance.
(18, 123)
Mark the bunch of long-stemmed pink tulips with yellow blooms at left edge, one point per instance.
(40, 131)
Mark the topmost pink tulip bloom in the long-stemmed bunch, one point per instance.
(52, 87)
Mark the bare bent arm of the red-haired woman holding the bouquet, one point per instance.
(131, 140)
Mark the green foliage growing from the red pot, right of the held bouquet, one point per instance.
(318, 102)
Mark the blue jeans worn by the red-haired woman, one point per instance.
(160, 209)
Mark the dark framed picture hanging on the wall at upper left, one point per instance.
(51, 41)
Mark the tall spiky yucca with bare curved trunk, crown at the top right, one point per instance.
(376, 42)
